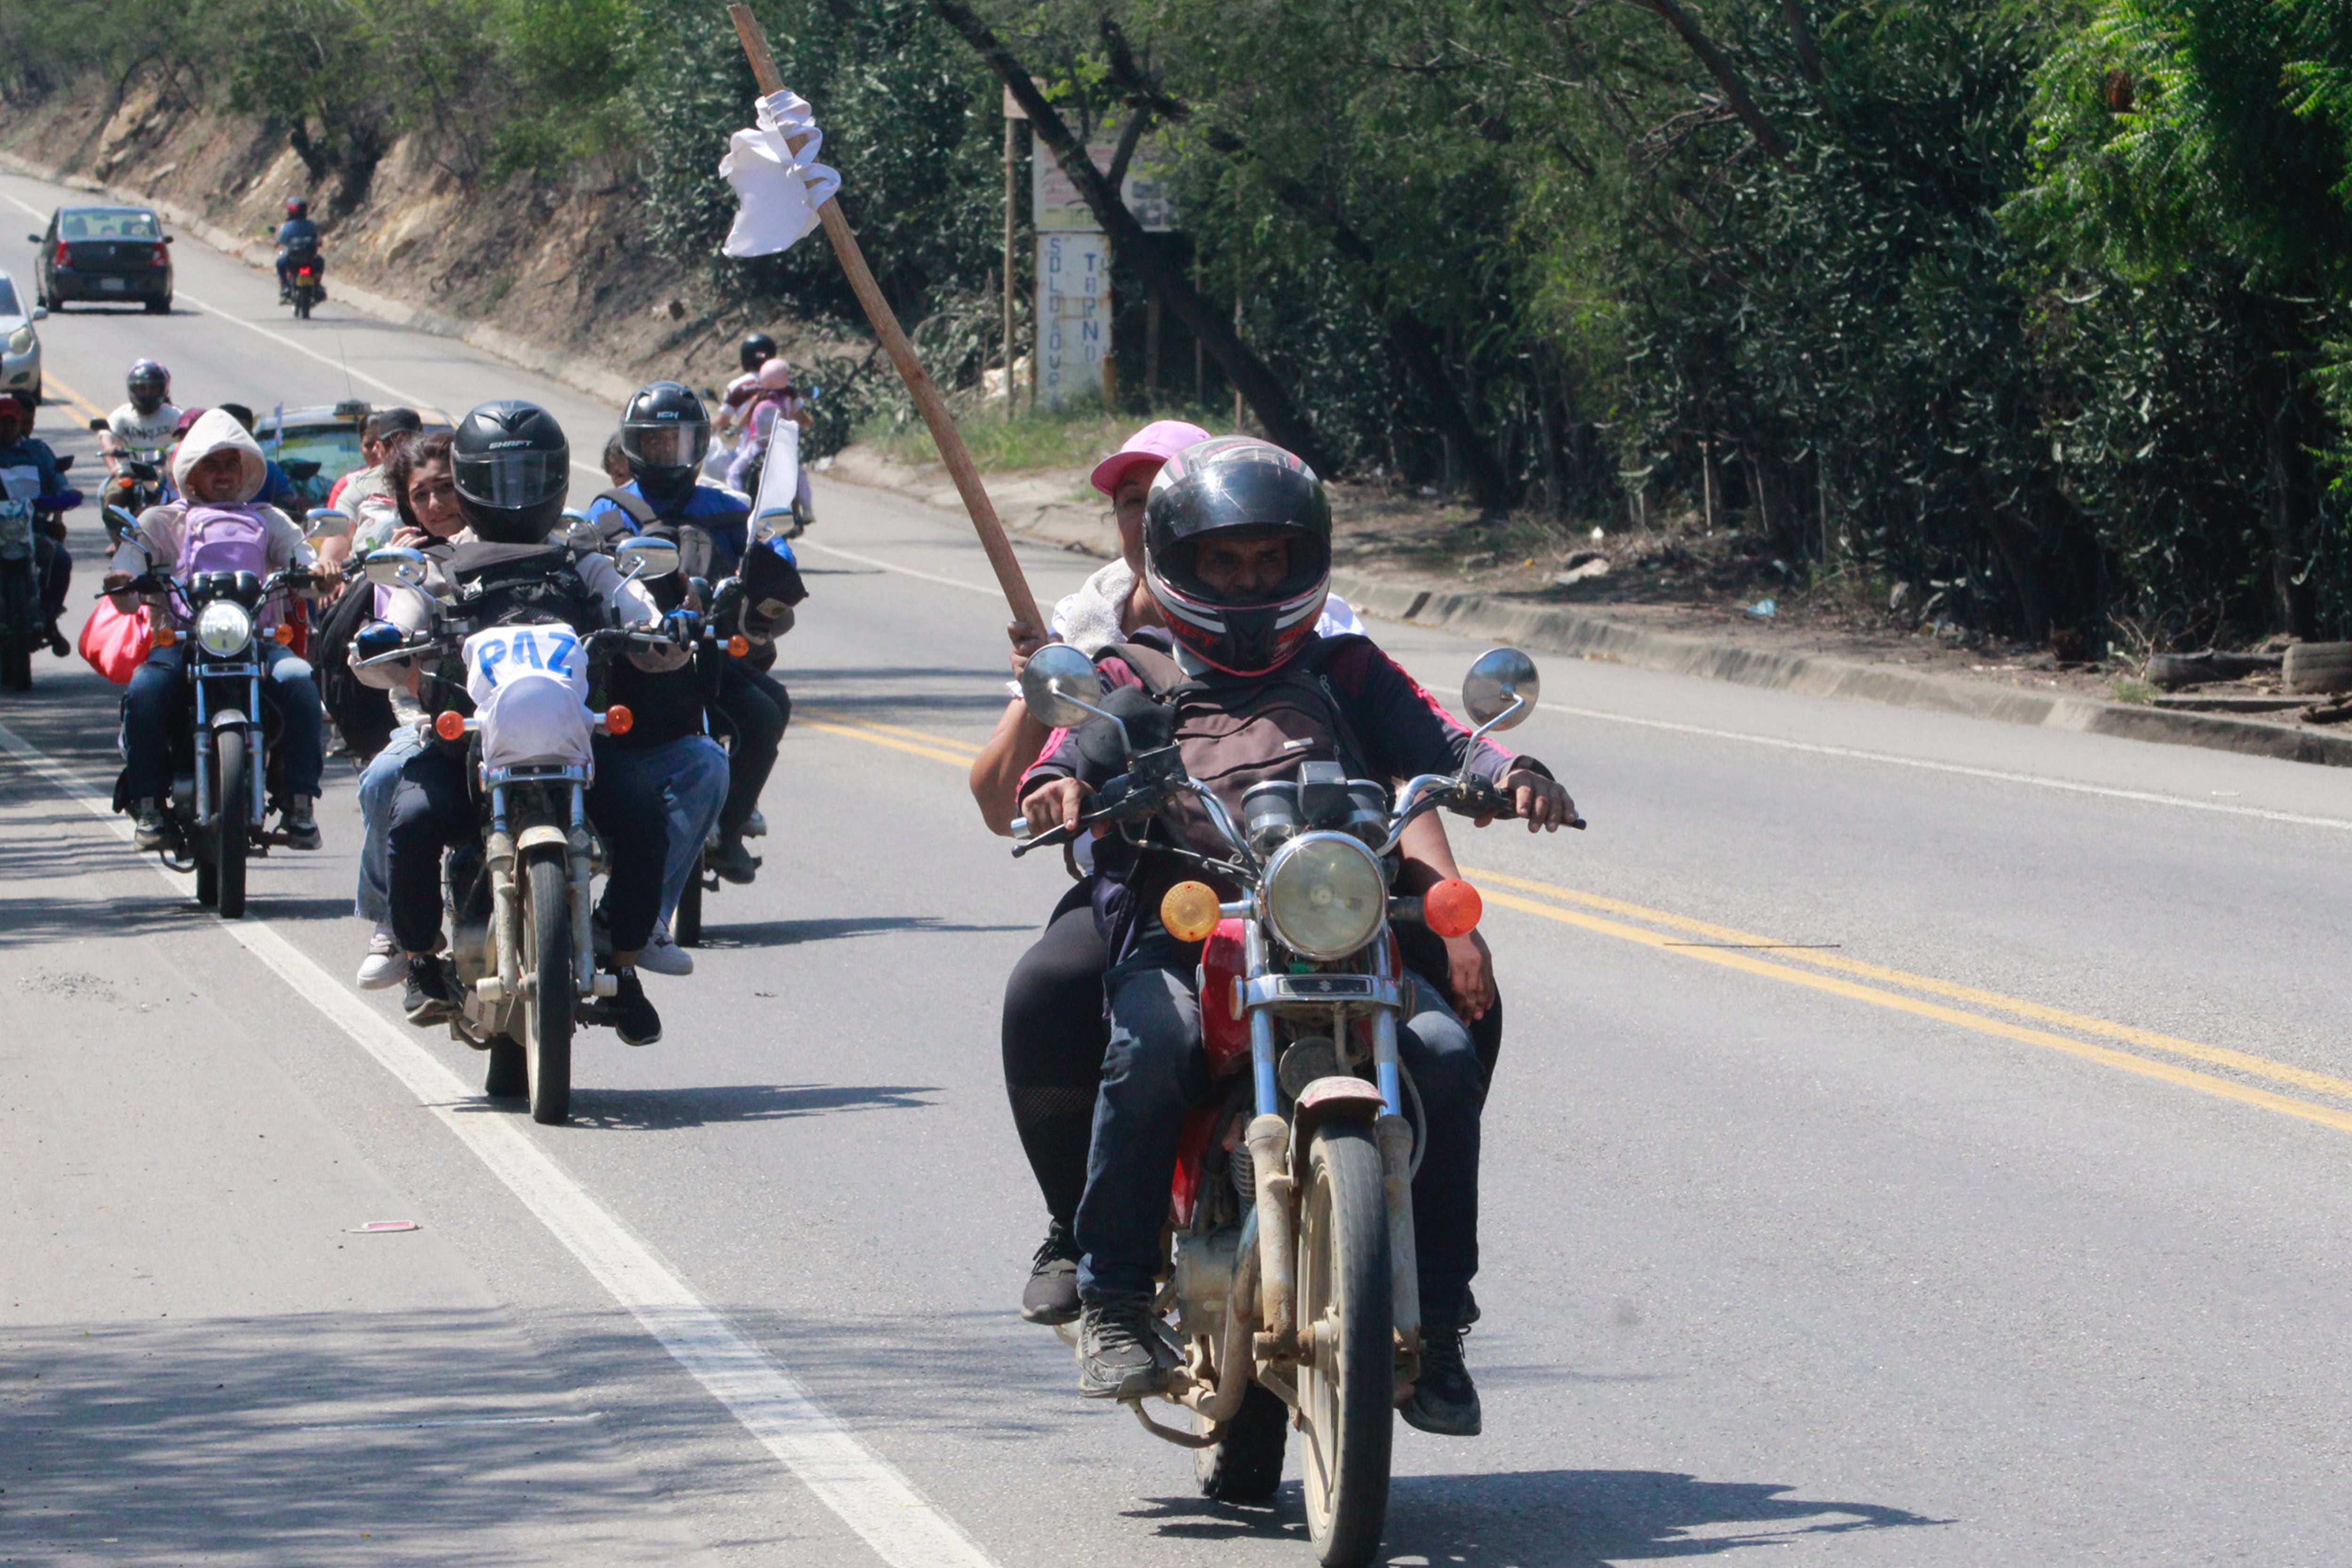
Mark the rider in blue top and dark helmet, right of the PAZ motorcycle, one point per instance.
(664, 436)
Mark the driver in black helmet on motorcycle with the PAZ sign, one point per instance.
(512, 474)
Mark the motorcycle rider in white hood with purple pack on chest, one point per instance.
(220, 471)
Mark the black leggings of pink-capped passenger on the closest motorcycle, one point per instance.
(1057, 1036)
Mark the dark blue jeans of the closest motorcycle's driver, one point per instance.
(1156, 1071)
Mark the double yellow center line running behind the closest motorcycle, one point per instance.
(926, 744)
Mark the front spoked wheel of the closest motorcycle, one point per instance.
(1347, 1398)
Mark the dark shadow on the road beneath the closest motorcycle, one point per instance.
(1556, 1517)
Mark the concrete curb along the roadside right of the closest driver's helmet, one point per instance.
(1553, 629)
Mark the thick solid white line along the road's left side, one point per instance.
(864, 1489)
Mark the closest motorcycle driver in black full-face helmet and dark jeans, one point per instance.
(1238, 558)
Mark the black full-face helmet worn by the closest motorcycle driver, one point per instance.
(1238, 488)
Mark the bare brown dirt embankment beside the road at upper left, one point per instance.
(552, 262)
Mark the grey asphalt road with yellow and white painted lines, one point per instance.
(1918, 1141)
